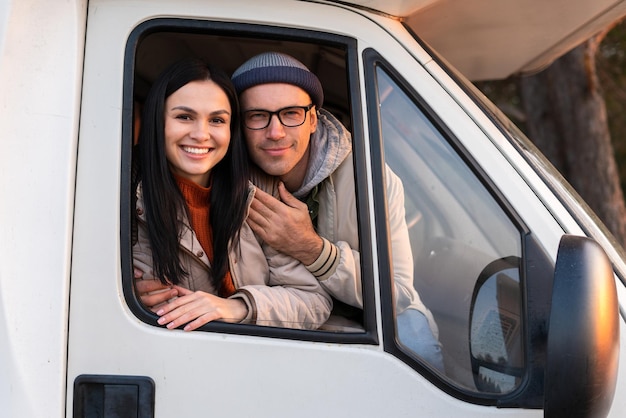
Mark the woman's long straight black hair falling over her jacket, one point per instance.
(163, 200)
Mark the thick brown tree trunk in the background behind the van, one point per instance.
(566, 118)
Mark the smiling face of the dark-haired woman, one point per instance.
(197, 129)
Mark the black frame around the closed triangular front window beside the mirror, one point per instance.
(535, 293)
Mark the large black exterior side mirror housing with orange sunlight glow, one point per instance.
(583, 334)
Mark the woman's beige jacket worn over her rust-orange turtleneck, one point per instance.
(278, 290)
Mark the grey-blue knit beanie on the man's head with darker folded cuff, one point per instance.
(274, 67)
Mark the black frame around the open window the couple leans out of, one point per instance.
(214, 28)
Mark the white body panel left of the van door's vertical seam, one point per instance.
(41, 46)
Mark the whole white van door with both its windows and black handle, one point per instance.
(120, 359)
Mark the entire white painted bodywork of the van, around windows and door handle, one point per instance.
(60, 219)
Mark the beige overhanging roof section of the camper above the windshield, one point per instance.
(493, 39)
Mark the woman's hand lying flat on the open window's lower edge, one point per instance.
(198, 308)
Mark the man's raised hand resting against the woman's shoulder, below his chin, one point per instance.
(285, 225)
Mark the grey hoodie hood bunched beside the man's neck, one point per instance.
(330, 144)
